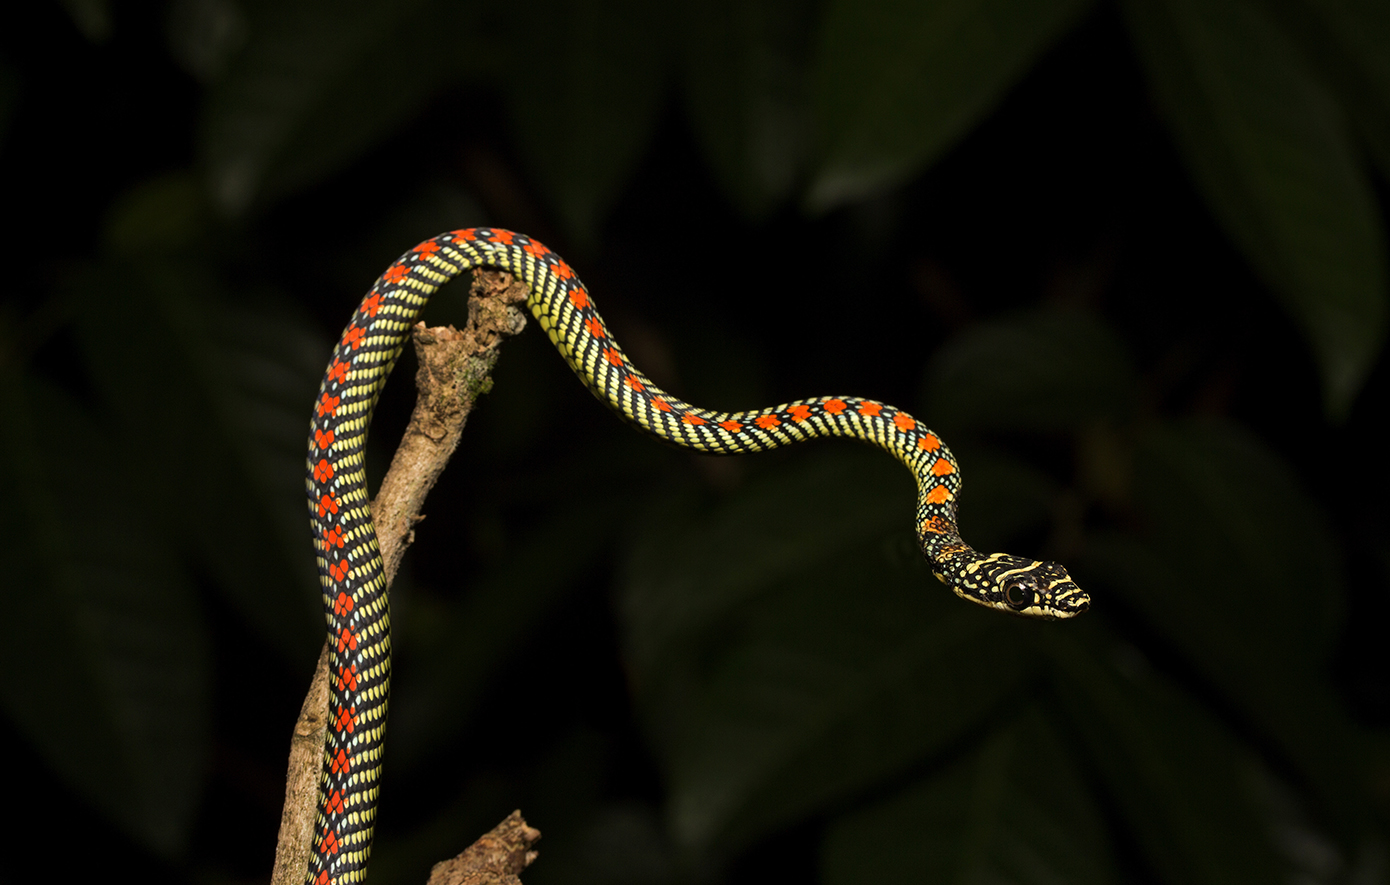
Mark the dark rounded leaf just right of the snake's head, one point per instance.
(1239, 562)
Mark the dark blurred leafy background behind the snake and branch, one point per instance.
(1128, 258)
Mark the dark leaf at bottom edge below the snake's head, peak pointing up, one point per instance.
(1014, 811)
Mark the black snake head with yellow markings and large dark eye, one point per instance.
(1018, 586)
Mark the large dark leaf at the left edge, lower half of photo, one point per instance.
(105, 659)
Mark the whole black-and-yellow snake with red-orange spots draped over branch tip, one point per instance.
(351, 569)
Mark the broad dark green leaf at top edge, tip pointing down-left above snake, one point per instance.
(899, 83)
